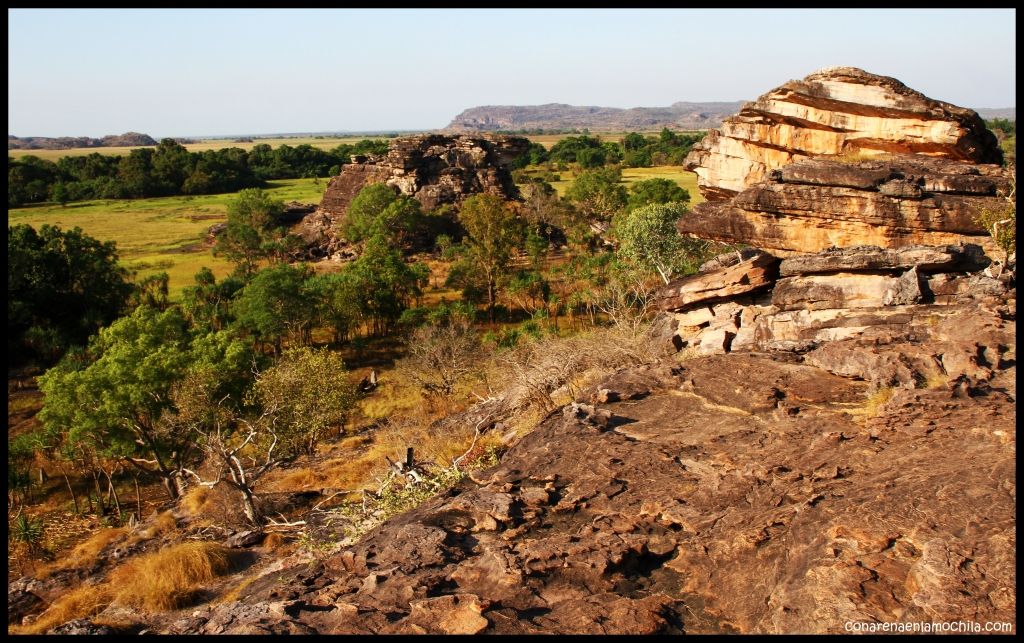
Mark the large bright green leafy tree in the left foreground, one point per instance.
(113, 398)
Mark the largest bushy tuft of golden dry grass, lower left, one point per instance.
(169, 579)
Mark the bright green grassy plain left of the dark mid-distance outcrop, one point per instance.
(160, 235)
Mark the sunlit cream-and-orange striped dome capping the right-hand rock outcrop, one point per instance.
(836, 111)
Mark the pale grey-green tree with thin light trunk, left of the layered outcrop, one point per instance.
(649, 237)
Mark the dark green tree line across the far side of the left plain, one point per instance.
(169, 169)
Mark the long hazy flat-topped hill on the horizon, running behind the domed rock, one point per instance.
(567, 117)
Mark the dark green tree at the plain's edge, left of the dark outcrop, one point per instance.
(253, 232)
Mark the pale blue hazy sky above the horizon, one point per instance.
(234, 72)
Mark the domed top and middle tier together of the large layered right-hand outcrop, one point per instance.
(846, 158)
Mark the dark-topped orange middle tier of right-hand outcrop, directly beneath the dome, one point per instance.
(898, 201)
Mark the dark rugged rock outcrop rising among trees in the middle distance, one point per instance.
(434, 169)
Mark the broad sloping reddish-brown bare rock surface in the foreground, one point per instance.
(749, 493)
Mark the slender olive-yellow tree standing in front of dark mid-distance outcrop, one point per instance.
(494, 233)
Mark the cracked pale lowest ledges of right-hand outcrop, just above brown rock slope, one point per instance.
(837, 295)
